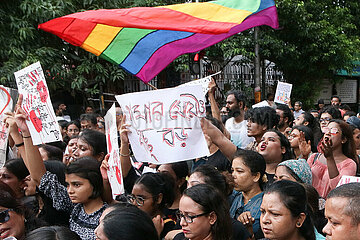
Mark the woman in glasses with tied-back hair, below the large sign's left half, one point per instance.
(152, 193)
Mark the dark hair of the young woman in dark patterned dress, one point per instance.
(88, 168)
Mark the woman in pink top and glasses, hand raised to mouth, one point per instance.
(336, 159)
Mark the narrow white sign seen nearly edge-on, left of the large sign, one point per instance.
(114, 173)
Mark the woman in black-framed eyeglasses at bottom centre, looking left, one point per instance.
(203, 214)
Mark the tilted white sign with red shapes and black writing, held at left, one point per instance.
(37, 104)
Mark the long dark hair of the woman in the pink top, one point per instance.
(348, 148)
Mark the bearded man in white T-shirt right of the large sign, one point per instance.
(236, 125)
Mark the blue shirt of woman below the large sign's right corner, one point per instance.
(253, 206)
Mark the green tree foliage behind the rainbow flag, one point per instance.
(315, 39)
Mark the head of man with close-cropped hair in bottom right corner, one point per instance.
(343, 213)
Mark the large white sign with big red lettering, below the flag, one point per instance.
(165, 124)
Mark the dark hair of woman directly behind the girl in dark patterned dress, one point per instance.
(95, 139)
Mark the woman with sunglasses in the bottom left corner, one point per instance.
(15, 219)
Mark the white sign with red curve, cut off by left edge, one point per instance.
(6, 105)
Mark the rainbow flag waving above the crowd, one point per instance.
(144, 40)
